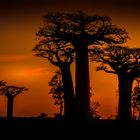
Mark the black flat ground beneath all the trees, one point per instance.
(43, 128)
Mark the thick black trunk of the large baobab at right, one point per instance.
(124, 108)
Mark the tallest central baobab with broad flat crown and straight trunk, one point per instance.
(81, 31)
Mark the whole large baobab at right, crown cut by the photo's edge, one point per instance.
(125, 62)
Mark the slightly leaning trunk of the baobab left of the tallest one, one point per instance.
(68, 91)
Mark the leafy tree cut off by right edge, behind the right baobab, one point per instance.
(135, 99)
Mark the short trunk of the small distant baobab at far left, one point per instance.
(10, 107)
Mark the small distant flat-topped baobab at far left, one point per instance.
(11, 92)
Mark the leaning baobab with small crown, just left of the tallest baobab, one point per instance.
(60, 54)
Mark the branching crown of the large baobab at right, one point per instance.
(121, 60)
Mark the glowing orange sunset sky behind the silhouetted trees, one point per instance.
(19, 22)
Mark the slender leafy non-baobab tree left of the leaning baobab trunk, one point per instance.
(57, 90)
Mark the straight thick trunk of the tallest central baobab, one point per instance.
(82, 83)
